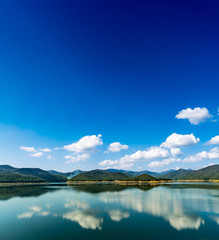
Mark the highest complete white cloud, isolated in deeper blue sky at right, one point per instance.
(195, 116)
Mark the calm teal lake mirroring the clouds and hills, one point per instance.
(100, 211)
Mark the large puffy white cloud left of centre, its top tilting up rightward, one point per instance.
(85, 144)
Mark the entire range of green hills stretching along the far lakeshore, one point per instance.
(10, 174)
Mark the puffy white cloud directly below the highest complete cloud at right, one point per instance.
(178, 140)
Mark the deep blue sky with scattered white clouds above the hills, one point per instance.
(122, 69)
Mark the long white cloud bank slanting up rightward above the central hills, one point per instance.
(129, 160)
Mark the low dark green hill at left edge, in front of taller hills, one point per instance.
(12, 177)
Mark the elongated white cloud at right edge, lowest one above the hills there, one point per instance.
(212, 154)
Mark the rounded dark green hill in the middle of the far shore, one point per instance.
(99, 175)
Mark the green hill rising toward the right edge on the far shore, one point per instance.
(207, 173)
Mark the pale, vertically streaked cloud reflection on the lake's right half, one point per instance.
(179, 208)
